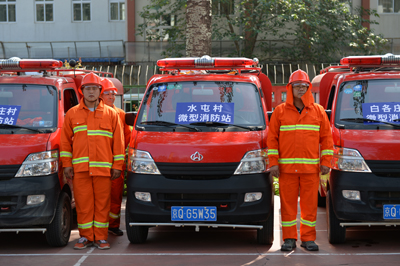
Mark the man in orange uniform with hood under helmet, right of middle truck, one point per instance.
(299, 129)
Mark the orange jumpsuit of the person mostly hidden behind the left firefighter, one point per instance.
(117, 185)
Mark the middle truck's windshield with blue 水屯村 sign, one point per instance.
(203, 104)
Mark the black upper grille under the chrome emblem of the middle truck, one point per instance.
(197, 171)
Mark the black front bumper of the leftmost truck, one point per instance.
(15, 213)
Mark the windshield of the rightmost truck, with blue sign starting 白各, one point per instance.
(369, 103)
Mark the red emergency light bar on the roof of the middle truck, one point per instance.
(206, 62)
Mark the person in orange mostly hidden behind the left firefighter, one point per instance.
(117, 185)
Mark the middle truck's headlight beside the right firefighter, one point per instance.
(253, 162)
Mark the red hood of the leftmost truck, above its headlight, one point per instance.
(15, 148)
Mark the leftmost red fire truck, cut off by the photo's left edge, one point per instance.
(34, 194)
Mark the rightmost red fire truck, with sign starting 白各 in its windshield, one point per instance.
(362, 96)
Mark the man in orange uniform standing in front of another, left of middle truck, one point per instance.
(92, 154)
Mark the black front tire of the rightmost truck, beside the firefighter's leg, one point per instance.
(336, 233)
